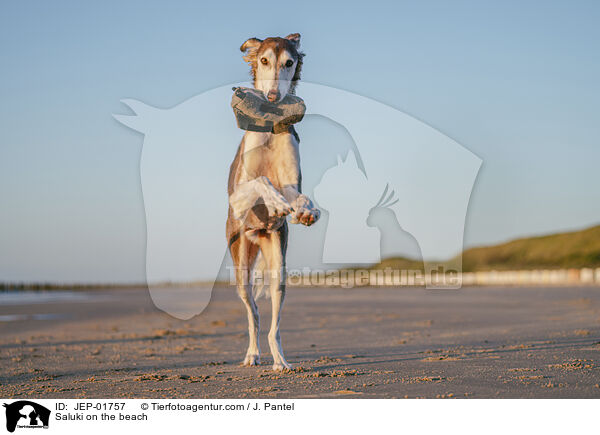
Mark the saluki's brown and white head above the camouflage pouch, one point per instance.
(275, 64)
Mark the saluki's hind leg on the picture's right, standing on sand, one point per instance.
(274, 248)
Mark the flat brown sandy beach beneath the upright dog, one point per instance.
(367, 343)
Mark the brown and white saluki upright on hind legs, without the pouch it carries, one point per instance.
(264, 187)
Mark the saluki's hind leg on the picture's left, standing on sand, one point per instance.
(243, 253)
